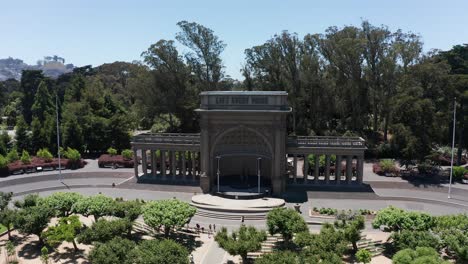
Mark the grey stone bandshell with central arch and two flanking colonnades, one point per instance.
(239, 127)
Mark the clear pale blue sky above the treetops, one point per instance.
(99, 31)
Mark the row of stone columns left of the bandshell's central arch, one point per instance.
(173, 165)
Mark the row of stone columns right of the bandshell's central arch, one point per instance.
(347, 169)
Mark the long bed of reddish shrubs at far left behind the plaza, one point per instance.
(17, 167)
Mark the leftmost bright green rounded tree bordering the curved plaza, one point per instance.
(61, 202)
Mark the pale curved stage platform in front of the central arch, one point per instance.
(216, 203)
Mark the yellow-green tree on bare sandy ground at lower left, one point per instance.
(66, 230)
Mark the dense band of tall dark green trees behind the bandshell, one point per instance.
(363, 80)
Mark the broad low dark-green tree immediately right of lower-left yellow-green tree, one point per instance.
(103, 230)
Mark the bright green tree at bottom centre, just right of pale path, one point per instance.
(241, 242)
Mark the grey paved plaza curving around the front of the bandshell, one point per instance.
(383, 192)
